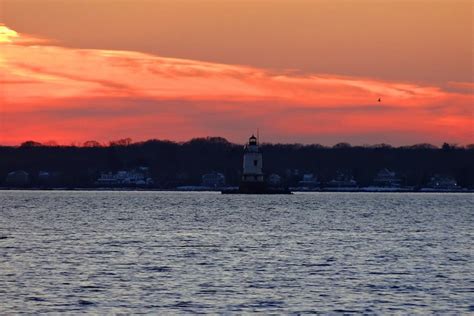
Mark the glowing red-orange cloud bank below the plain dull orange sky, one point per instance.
(53, 92)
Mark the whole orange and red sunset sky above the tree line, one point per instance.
(304, 71)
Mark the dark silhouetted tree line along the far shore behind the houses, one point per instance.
(172, 164)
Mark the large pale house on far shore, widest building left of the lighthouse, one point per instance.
(135, 177)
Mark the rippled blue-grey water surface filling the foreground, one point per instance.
(168, 253)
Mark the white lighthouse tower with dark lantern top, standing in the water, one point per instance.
(253, 163)
